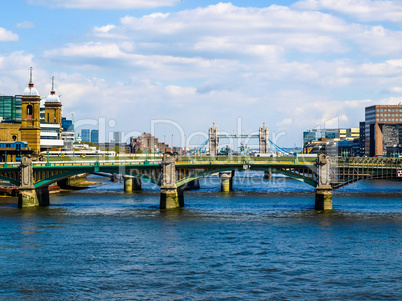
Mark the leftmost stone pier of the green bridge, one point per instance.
(27, 195)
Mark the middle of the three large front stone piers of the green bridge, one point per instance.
(171, 196)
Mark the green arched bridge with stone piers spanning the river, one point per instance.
(172, 173)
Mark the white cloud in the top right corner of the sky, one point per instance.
(365, 10)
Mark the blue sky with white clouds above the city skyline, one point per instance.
(172, 66)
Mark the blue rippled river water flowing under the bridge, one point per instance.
(264, 241)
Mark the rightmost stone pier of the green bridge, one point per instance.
(323, 190)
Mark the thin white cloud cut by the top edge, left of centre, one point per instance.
(103, 4)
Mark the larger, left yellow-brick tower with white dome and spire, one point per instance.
(30, 122)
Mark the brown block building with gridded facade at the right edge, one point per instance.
(383, 126)
